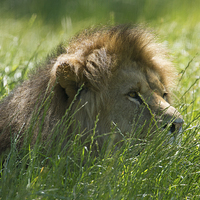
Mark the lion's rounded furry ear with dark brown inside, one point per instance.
(69, 73)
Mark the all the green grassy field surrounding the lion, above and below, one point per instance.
(31, 29)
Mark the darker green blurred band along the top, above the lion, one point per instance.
(101, 11)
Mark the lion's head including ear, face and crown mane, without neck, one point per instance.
(126, 80)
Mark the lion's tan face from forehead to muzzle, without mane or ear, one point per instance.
(138, 100)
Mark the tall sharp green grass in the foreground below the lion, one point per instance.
(149, 169)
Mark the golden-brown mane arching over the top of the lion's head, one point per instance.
(124, 42)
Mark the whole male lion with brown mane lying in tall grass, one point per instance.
(119, 74)
